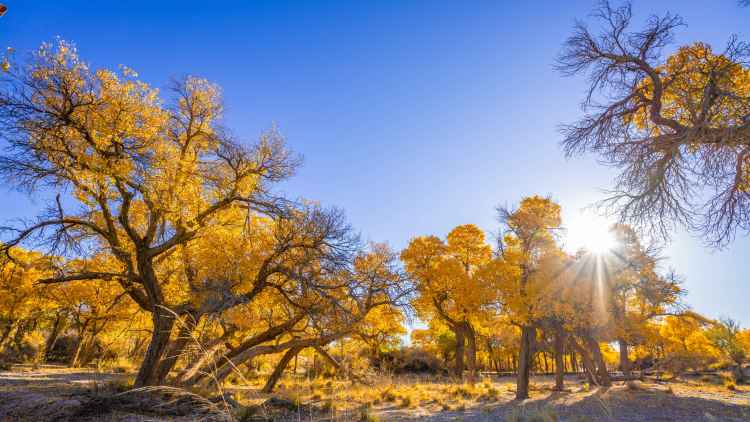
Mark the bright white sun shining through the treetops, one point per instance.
(589, 232)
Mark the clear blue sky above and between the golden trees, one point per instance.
(412, 116)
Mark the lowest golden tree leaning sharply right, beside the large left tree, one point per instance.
(330, 306)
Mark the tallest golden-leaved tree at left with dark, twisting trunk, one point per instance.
(148, 178)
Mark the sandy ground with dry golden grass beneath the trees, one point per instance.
(55, 393)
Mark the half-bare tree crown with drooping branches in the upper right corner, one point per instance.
(677, 128)
